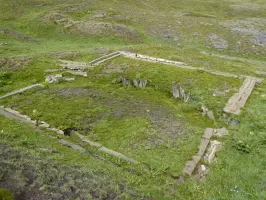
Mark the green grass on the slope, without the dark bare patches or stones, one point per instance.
(123, 118)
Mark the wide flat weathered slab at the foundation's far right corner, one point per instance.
(238, 100)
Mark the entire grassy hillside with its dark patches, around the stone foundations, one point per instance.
(146, 124)
